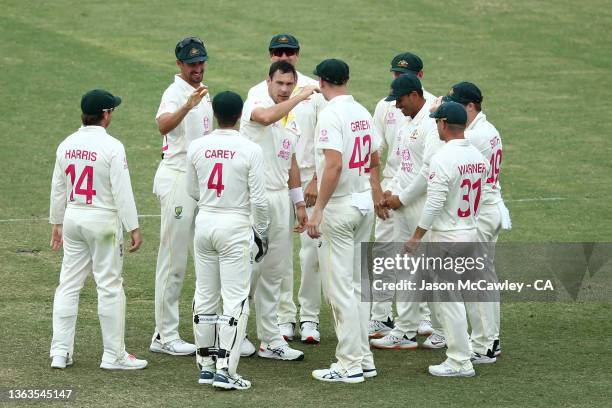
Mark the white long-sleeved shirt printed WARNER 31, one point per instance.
(456, 178)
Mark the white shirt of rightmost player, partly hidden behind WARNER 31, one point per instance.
(486, 138)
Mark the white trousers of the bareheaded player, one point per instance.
(276, 265)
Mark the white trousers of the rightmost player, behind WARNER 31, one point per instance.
(484, 317)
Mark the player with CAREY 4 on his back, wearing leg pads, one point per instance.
(225, 175)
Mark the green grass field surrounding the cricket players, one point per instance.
(544, 68)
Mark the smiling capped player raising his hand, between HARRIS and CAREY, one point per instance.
(184, 114)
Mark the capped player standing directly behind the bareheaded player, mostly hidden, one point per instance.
(285, 47)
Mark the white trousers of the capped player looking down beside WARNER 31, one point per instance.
(409, 314)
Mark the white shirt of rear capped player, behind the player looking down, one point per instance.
(388, 120)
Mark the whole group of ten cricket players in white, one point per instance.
(299, 155)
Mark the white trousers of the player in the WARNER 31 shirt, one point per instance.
(452, 315)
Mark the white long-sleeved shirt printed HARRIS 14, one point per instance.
(91, 171)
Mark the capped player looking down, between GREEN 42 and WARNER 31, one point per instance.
(418, 139)
